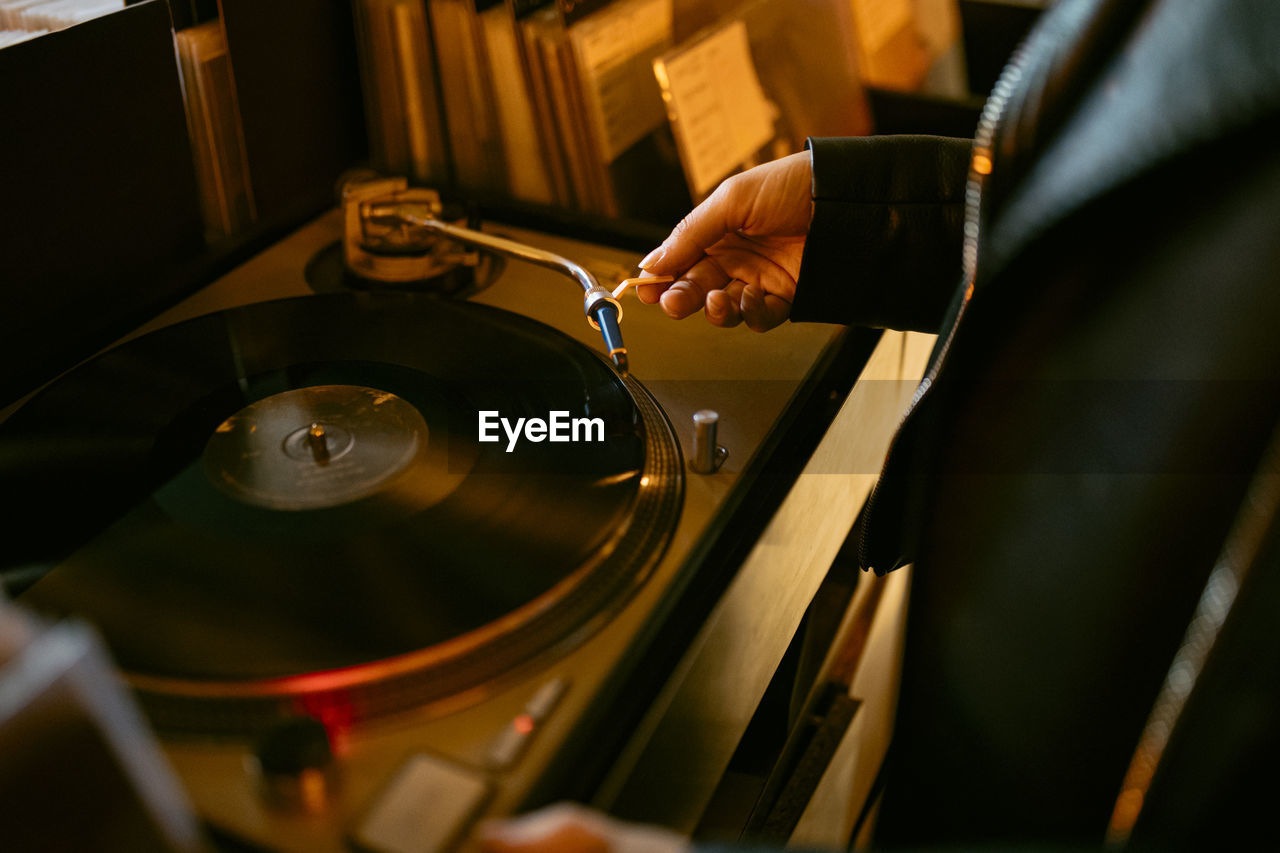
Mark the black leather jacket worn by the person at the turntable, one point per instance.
(1109, 382)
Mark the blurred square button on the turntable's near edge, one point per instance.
(427, 808)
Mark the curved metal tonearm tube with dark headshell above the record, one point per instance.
(604, 312)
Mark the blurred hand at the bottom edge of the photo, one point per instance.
(574, 829)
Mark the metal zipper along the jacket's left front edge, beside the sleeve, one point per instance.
(981, 166)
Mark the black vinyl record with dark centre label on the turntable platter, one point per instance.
(287, 508)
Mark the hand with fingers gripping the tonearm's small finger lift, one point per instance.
(739, 253)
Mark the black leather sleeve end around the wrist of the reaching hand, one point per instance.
(884, 247)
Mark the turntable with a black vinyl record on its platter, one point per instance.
(378, 564)
